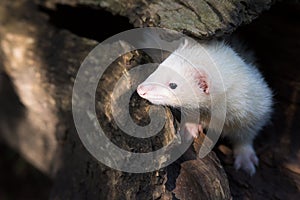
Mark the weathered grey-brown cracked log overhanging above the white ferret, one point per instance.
(202, 18)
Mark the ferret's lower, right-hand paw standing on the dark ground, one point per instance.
(245, 159)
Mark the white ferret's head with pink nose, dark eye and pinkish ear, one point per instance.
(176, 82)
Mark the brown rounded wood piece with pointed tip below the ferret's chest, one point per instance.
(201, 176)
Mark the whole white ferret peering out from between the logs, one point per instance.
(194, 72)
